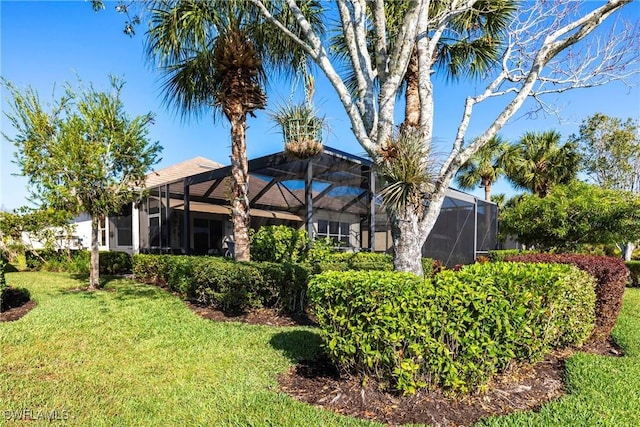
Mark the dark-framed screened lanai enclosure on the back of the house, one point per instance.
(330, 195)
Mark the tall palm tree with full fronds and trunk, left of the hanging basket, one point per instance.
(213, 56)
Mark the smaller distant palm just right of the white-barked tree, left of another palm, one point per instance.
(485, 167)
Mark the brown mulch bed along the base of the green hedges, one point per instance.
(317, 382)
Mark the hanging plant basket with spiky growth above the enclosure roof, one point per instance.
(301, 129)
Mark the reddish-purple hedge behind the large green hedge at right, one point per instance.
(611, 275)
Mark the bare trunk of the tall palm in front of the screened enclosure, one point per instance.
(240, 183)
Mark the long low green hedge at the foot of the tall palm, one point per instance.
(225, 284)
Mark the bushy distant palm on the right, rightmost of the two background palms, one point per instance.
(538, 162)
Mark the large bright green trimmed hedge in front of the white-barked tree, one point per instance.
(454, 331)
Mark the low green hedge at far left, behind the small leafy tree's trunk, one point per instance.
(75, 261)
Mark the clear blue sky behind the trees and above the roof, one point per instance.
(47, 43)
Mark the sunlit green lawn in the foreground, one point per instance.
(134, 355)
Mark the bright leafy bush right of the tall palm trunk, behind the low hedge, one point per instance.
(279, 243)
